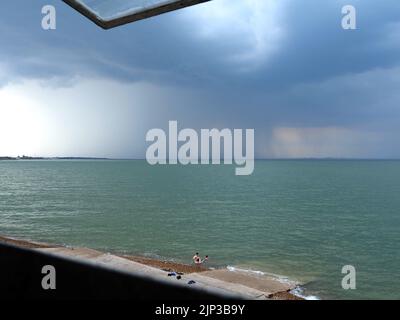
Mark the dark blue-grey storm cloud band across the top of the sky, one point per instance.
(314, 47)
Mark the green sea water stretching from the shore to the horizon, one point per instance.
(303, 220)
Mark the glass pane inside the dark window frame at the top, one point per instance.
(113, 9)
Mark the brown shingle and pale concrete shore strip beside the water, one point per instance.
(255, 286)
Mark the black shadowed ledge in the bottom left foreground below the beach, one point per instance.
(21, 277)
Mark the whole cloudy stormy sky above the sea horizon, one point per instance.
(285, 68)
